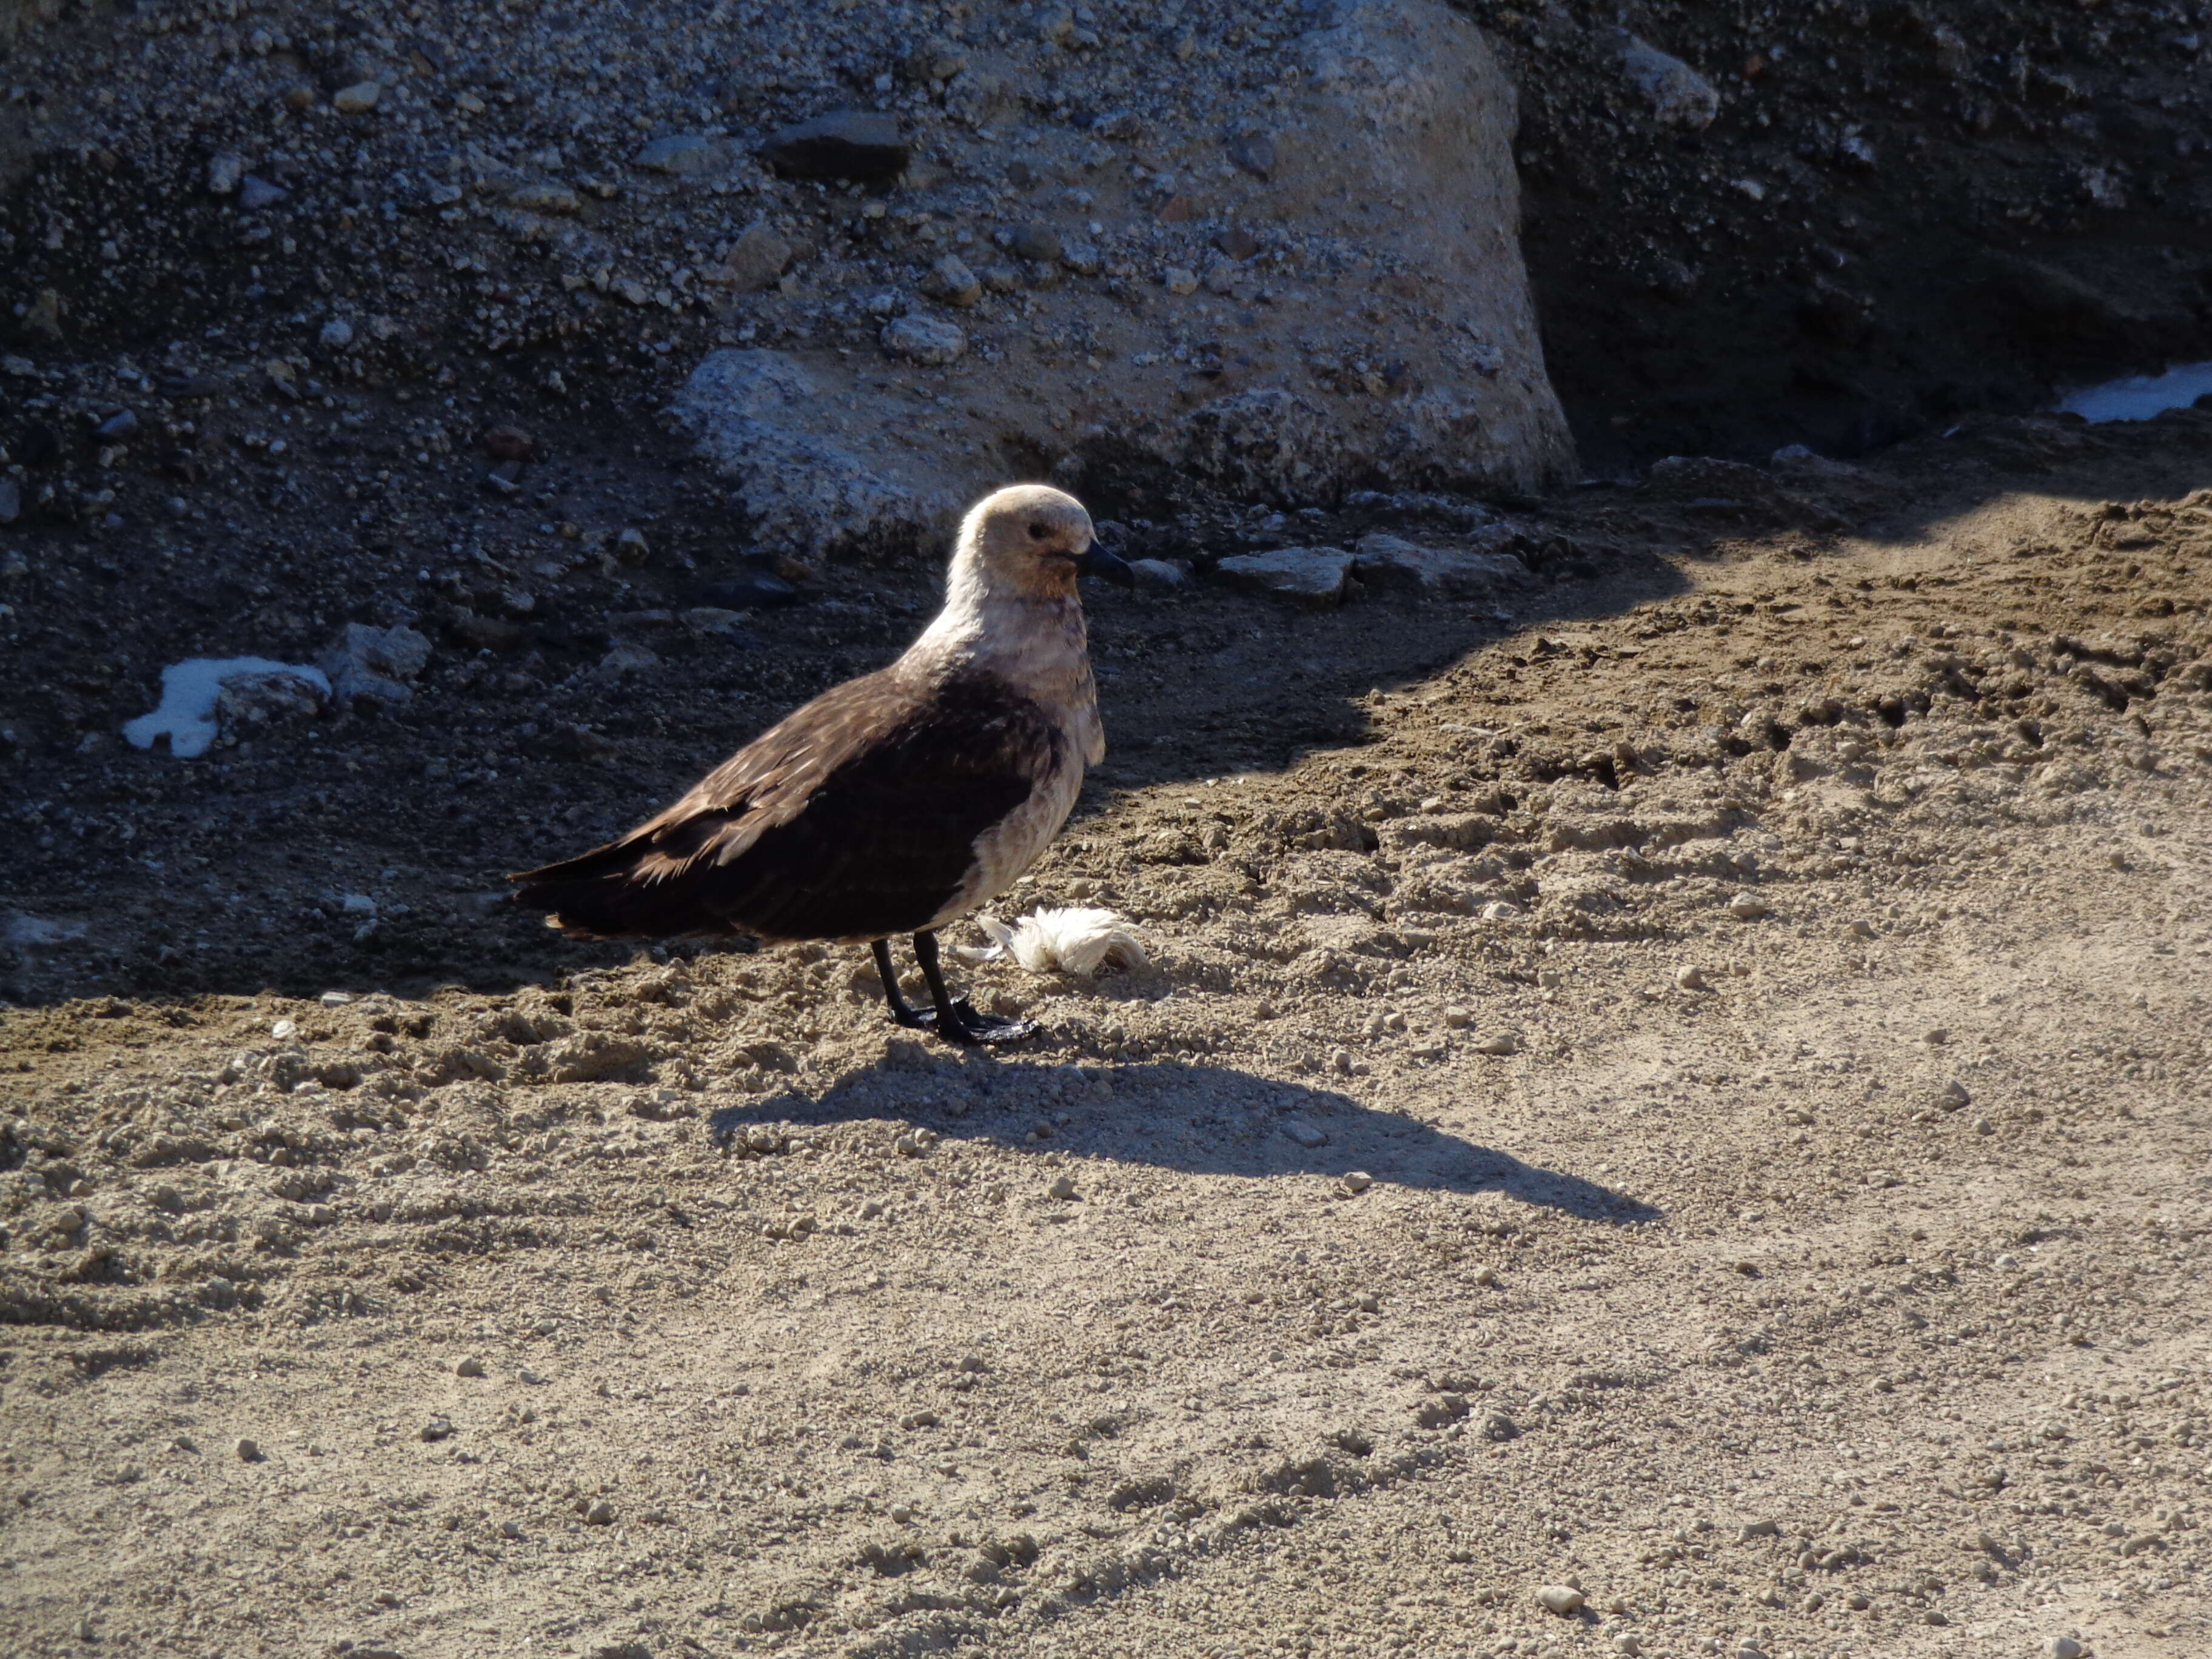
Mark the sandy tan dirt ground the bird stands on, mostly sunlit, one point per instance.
(1669, 1123)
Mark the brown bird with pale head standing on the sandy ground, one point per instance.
(897, 802)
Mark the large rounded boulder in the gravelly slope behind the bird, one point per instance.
(1273, 295)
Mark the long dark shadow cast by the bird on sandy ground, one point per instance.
(1193, 1118)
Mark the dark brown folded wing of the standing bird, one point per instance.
(855, 817)
